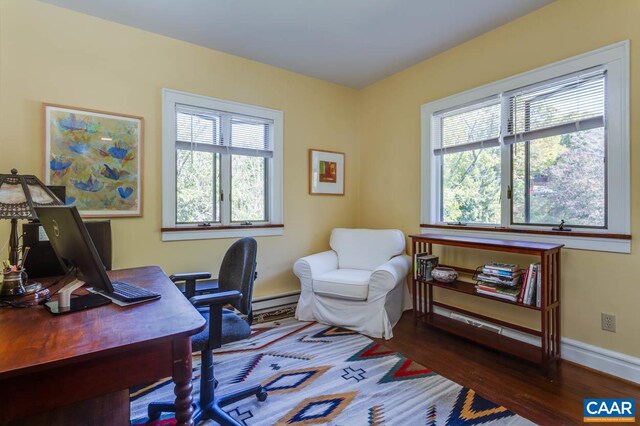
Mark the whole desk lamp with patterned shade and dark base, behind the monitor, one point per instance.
(18, 196)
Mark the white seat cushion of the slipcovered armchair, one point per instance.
(352, 284)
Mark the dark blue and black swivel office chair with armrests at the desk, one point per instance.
(235, 287)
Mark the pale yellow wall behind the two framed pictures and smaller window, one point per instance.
(50, 54)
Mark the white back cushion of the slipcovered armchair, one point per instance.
(366, 248)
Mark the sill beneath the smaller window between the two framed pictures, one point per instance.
(208, 233)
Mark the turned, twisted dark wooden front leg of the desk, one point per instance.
(182, 380)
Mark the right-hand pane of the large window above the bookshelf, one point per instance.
(558, 163)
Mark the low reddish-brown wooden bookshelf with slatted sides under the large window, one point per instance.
(549, 350)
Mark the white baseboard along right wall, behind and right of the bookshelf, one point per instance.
(604, 360)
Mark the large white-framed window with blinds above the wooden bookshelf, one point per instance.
(541, 151)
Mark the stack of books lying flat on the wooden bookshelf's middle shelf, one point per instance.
(500, 280)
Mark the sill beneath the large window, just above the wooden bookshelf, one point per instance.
(615, 243)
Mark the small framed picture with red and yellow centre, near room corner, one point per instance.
(326, 172)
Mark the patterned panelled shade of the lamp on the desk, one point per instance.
(20, 193)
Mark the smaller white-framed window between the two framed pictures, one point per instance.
(222, 168)
